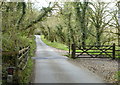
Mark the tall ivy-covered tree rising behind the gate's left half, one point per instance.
(81, 19)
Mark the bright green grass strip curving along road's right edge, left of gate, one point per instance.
(54, 44)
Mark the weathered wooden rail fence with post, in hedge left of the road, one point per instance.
(18, 60)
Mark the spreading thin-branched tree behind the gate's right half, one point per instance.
(99, 19)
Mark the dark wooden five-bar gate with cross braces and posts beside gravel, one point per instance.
(94, 51)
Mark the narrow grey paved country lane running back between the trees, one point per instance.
(51, 67)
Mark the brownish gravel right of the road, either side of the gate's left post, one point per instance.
(103, 67)
